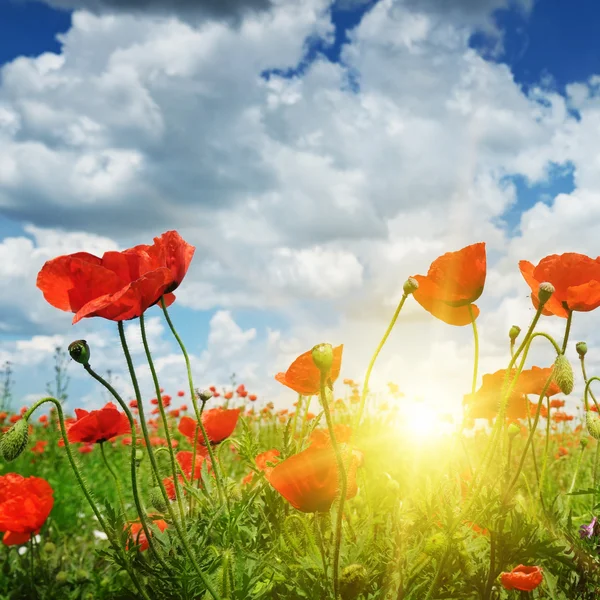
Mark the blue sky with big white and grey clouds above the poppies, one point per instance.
(316, 155)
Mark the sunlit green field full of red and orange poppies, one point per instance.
(217, 494)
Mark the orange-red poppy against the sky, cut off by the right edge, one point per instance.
(576, 281)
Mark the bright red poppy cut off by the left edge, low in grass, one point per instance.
(25, 503)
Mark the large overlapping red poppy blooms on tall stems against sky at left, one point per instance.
(120, 285)
